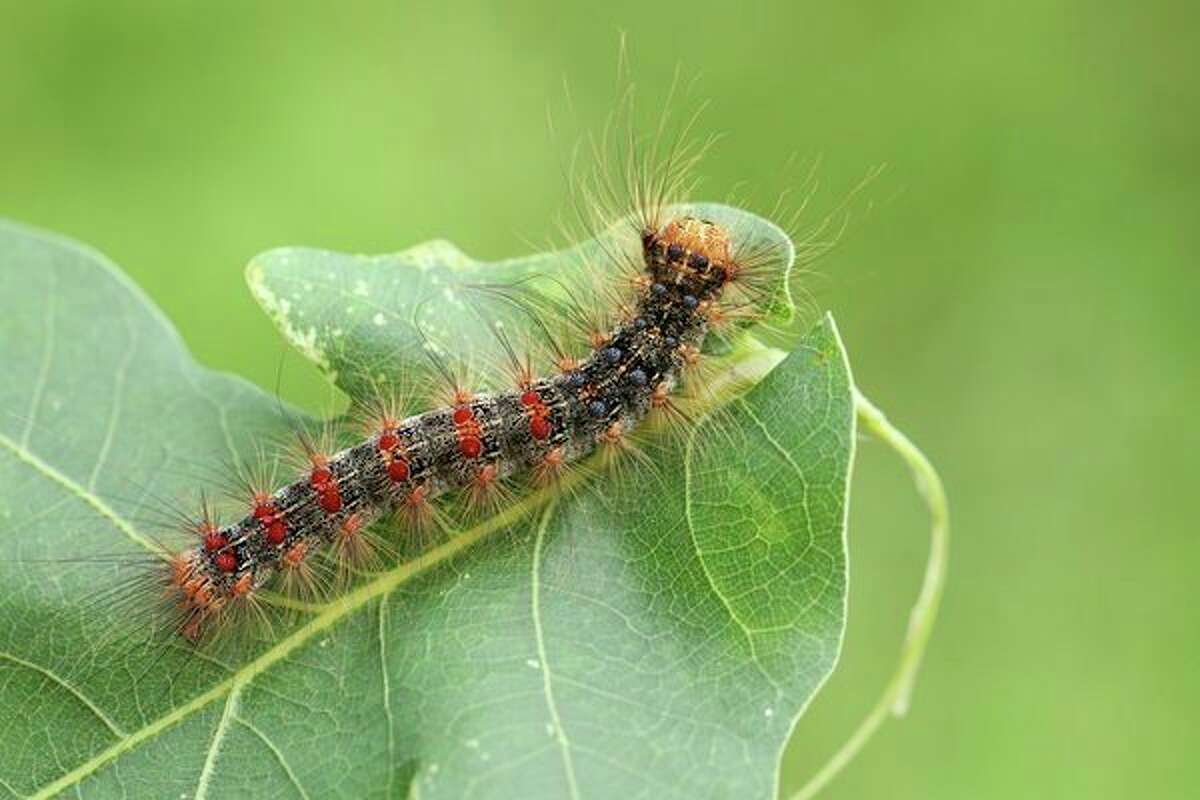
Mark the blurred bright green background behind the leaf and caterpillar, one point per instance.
(1018, 290)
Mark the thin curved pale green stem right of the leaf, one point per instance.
(898, 691)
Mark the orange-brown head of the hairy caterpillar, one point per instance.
(689, 252)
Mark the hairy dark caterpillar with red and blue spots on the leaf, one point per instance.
(479, 440)
